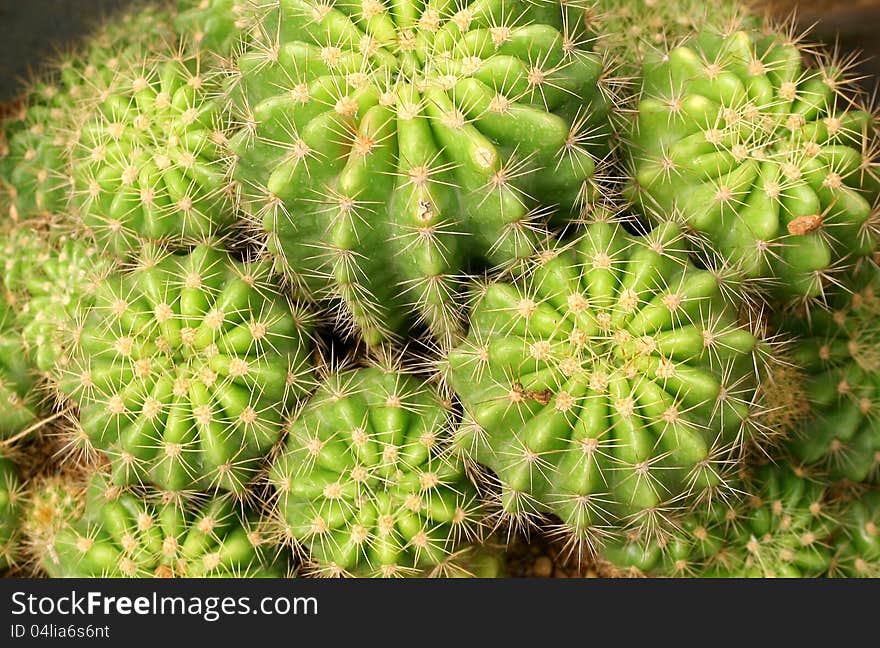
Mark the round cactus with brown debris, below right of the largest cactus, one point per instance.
(589, 387)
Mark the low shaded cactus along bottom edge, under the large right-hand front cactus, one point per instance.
(782, 531)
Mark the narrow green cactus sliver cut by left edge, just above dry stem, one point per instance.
(18, 399)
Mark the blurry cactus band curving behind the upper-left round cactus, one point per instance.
(34, 173)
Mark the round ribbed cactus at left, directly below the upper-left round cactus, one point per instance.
(184, 369)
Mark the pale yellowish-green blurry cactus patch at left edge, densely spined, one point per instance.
(50, 277)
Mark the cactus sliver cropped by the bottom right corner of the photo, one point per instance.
(858, 547)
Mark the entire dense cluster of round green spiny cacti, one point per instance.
(601, 271)
